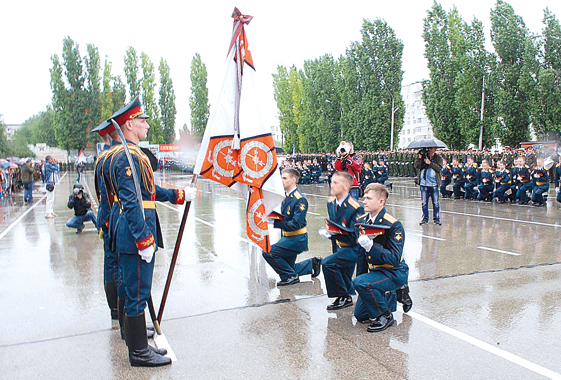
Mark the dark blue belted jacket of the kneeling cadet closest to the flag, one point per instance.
(293, 226)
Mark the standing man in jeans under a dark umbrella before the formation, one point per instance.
(430, 165)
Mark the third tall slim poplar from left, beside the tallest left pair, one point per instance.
(93, 88)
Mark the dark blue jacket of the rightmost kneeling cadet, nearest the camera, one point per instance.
(386, 254)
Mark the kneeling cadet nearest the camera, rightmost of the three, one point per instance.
(388, 273)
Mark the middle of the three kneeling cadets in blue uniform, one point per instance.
(338, 268)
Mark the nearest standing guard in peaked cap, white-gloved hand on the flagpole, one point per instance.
(136, 236)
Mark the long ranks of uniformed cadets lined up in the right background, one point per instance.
(513, 176)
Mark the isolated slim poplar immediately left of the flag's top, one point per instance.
(198, 100)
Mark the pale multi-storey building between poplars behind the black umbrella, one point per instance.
(416, 124)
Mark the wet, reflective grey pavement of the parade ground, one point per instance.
(485, 285)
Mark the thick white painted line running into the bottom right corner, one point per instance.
(487, 347)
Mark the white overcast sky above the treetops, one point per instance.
(281, 33)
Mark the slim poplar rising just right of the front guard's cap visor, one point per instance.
(155, 133)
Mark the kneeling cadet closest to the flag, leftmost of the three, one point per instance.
(294, 240)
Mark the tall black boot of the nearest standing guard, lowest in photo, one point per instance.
(140, 355)
